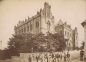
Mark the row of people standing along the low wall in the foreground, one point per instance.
(51, 57)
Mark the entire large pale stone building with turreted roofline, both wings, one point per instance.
(43, 22)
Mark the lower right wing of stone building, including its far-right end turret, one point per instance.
(70, 35)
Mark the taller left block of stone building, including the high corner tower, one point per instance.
(43, 22)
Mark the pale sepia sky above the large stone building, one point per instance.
(11, 11)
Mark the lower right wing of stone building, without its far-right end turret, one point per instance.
(66, 31)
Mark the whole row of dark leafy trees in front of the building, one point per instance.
(27, 43)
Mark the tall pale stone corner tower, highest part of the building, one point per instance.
(47, 20)
